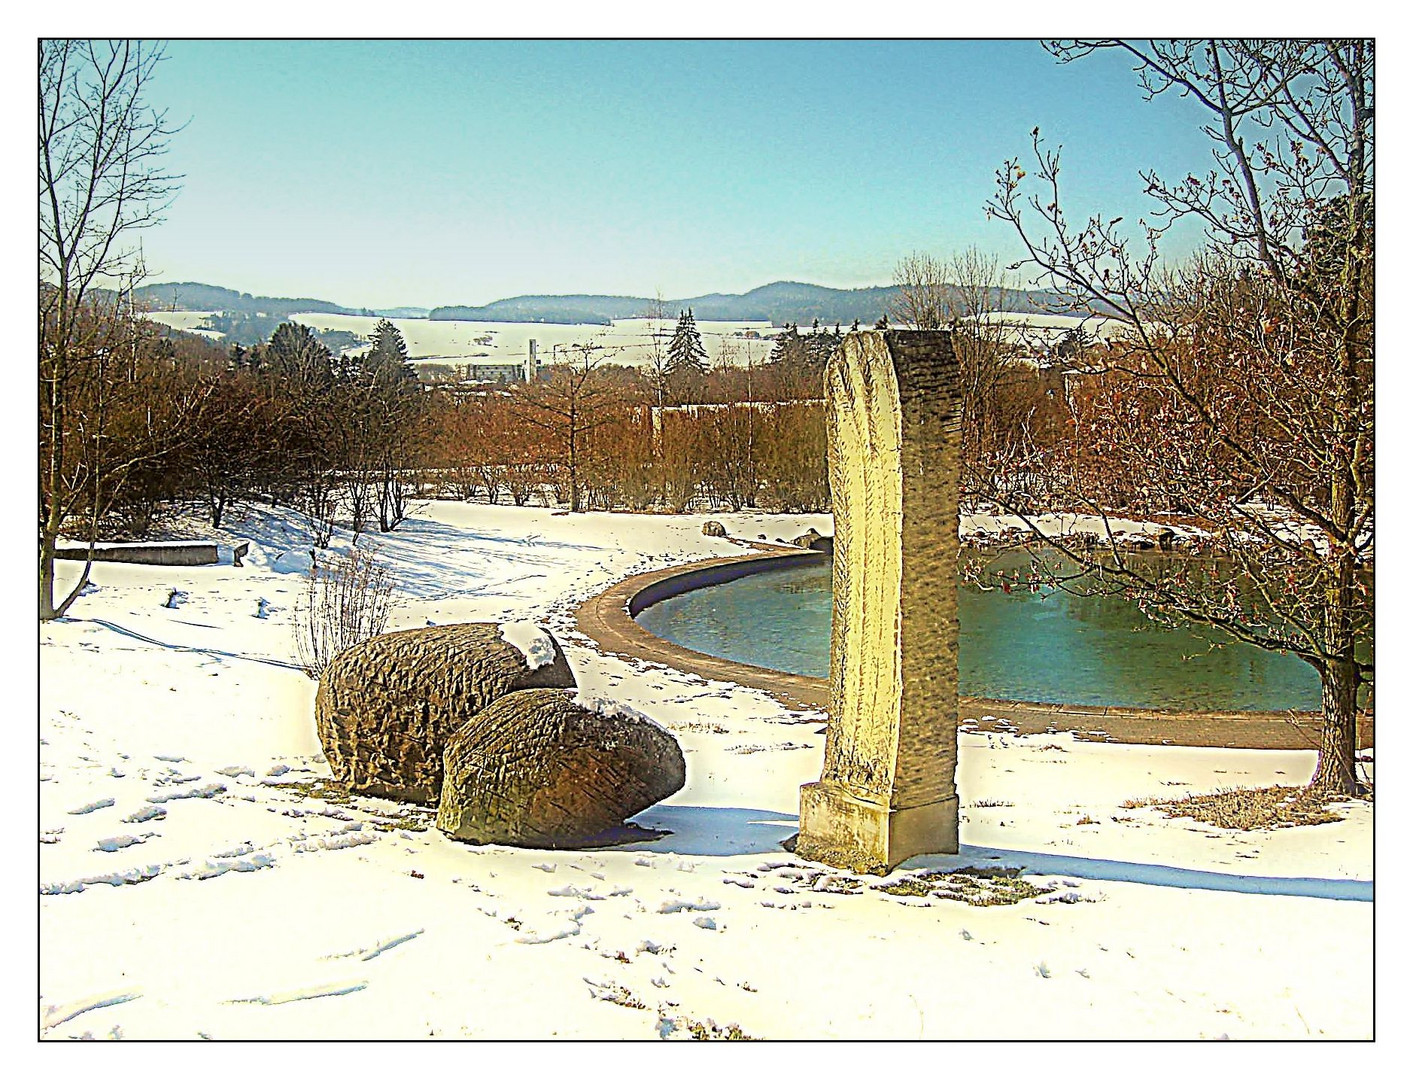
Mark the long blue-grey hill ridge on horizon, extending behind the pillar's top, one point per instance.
(778, 303)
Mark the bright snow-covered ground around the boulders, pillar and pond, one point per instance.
(196, 886)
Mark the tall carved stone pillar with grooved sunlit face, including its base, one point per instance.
(888, 791)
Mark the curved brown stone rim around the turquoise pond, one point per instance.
(608, 620)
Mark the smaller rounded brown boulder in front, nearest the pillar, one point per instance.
(535, 768)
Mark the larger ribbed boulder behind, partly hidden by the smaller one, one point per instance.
(385, 709)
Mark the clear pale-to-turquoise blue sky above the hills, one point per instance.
(381, 173)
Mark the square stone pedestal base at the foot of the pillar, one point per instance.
(843, 830)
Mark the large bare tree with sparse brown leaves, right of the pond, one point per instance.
(1243, 391)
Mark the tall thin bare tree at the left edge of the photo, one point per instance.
(101, 182)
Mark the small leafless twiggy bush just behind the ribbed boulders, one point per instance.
(347, 600)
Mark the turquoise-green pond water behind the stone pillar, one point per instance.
(1048, 647)
